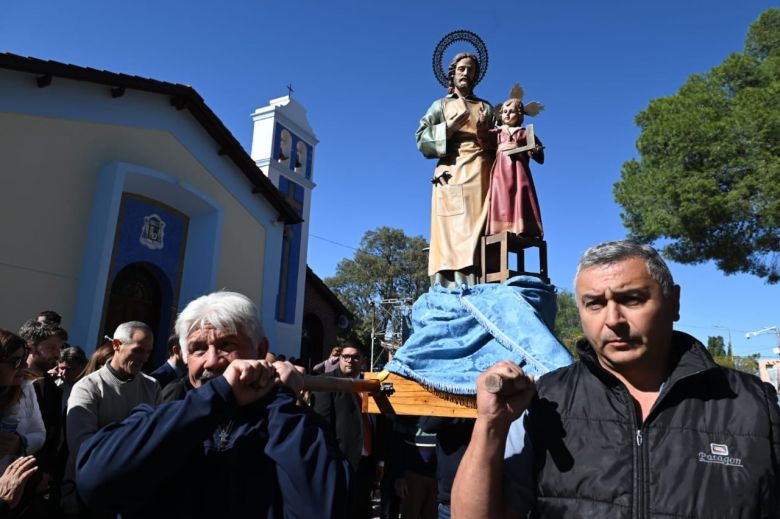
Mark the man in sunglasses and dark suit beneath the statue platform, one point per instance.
(355, 431)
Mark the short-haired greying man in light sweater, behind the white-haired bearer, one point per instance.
(110, 393)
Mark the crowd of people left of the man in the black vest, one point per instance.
(80, 434)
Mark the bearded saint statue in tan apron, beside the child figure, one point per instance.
(449, 132)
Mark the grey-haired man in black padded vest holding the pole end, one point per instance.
(644, 424)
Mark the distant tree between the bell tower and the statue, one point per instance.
(387, 265)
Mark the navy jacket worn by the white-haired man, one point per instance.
(206, 457)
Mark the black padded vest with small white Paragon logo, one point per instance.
(710, 447)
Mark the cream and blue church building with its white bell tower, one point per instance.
(125, 198)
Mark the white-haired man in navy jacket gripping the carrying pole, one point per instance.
(237, 445)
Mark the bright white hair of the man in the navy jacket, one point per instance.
(228, 312)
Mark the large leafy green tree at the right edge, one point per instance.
(708, 180)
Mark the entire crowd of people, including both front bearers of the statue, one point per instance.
(644, 423)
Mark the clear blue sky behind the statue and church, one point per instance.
(363, 71)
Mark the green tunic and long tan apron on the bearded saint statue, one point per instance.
(458, 205)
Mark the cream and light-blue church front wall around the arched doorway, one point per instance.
(53, 157)
